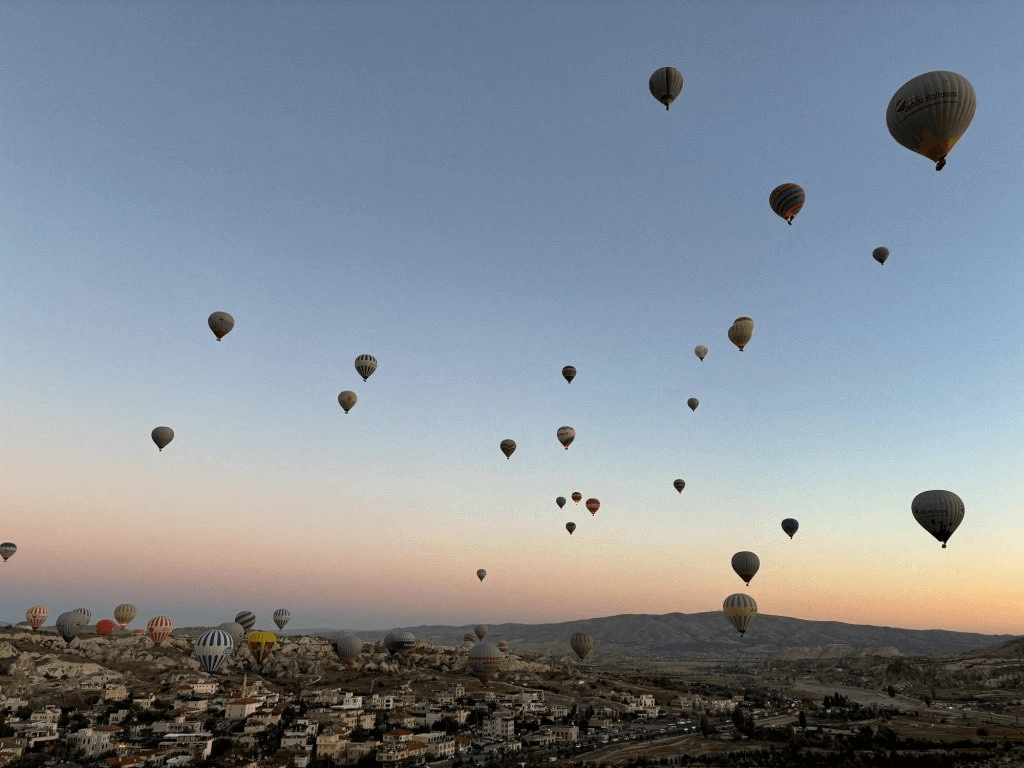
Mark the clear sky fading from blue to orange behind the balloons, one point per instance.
(479, 194)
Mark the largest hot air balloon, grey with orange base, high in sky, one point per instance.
(930, 113)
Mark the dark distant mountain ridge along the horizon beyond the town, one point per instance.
(707, 634)
